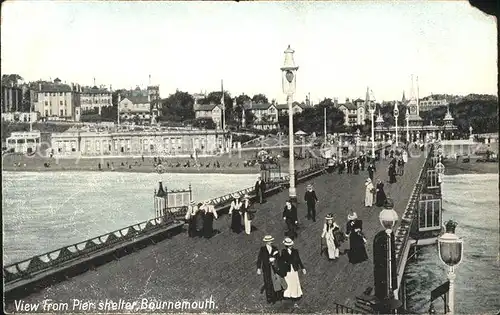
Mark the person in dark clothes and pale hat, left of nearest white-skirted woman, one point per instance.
(267, 265)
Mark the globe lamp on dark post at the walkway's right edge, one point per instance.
(388, 218)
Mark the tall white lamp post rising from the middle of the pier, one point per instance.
(289, 80)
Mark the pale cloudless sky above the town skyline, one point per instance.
(340, 47)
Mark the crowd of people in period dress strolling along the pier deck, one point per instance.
(280, 269)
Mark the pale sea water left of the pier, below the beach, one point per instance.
(48, 210)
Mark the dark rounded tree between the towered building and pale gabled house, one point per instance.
(178, 107)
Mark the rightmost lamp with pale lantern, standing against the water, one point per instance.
(450, 248)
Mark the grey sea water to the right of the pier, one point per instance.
(472, 201)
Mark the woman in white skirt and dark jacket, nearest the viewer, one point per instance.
(291, 265)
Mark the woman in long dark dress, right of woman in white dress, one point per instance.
(354, 229)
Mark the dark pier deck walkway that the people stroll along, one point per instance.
(224, 267)
